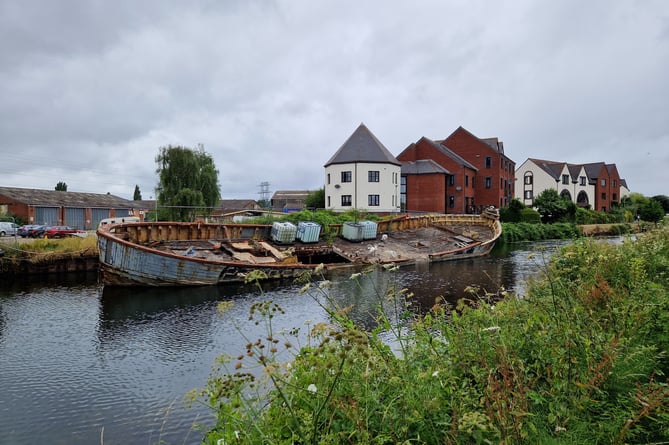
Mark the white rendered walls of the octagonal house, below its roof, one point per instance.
(388, 187)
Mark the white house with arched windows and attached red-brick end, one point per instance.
(595, 185)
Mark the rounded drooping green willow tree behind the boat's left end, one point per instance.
(187, 183)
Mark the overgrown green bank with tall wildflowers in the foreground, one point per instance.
(582, 358)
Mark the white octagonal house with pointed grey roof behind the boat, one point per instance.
(363, 174)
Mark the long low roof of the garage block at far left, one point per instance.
(36, 197)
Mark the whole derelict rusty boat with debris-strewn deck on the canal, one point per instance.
(195, 254)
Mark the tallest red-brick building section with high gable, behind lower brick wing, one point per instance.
(495, 178)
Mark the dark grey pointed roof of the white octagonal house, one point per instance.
(362, 146)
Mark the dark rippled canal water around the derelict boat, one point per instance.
(84, 364)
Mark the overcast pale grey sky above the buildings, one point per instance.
(90, 90)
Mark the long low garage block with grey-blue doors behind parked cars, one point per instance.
(51, 207)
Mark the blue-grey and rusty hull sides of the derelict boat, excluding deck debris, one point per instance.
(129, 257)
